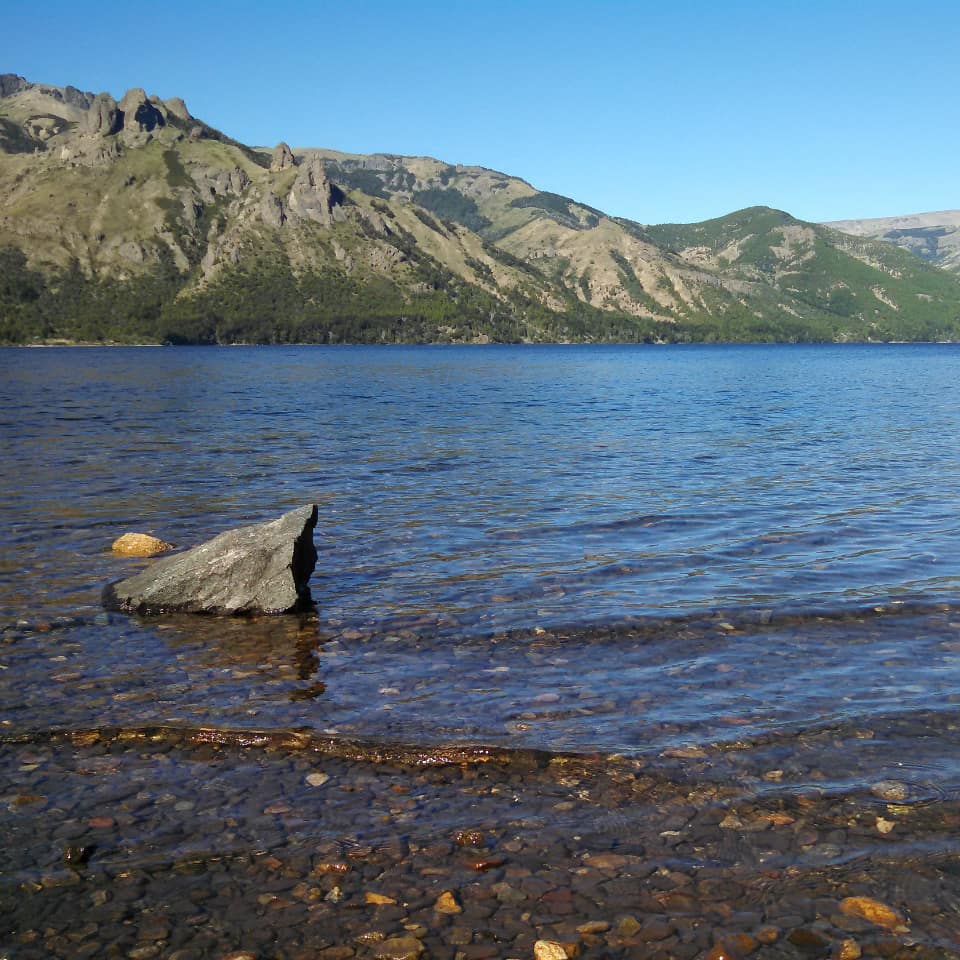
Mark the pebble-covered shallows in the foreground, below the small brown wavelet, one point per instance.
(209, 849)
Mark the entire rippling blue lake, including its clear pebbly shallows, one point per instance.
(648, 651)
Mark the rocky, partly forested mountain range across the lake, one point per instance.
(133, 221)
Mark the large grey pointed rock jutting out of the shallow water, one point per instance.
(264, 568)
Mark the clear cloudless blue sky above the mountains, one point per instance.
(655, 111)
